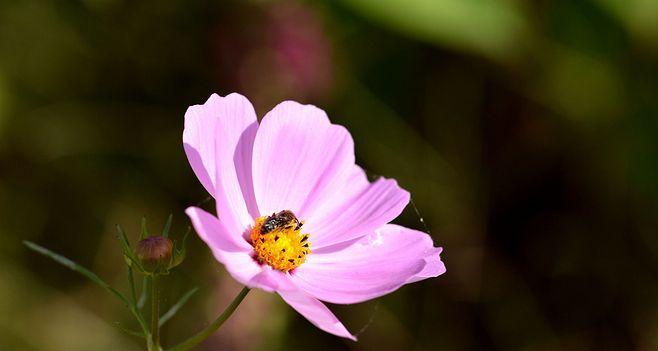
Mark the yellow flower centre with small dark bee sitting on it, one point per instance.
(278, 241)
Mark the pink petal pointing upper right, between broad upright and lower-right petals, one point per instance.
(376, 205)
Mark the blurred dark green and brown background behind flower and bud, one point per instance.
(526, 131)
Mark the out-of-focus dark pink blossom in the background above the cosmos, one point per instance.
(284, 51)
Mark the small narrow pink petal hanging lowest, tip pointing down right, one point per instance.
(316, 312)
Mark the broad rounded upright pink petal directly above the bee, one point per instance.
(300, 159)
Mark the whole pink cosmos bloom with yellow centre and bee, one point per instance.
(295, 214)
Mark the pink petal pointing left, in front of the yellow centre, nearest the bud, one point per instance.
(235, 253)
